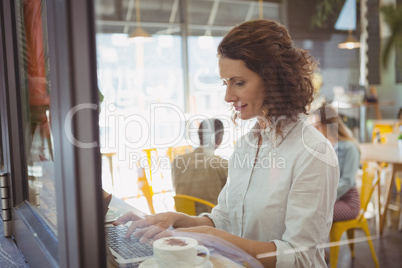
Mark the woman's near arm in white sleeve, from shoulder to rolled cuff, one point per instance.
(309, 208)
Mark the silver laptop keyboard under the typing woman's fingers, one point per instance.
(128, 248)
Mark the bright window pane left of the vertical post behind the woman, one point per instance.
(141, 80)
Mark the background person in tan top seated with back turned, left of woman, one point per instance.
(201, 173)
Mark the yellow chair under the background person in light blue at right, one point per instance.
(370, 180)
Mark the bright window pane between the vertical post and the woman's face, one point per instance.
(208, 22)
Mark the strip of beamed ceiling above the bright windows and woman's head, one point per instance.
(203, 17)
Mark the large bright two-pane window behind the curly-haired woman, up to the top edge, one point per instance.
(158, 76)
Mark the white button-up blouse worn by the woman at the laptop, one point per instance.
(285, 194)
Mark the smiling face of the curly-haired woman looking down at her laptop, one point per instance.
(244, 88)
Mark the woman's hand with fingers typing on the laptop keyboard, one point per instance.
(148, 227)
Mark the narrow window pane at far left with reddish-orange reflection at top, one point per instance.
(35, 96)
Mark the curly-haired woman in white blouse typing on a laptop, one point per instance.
(280, 191)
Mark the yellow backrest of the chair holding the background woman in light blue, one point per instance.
(370, 180)
